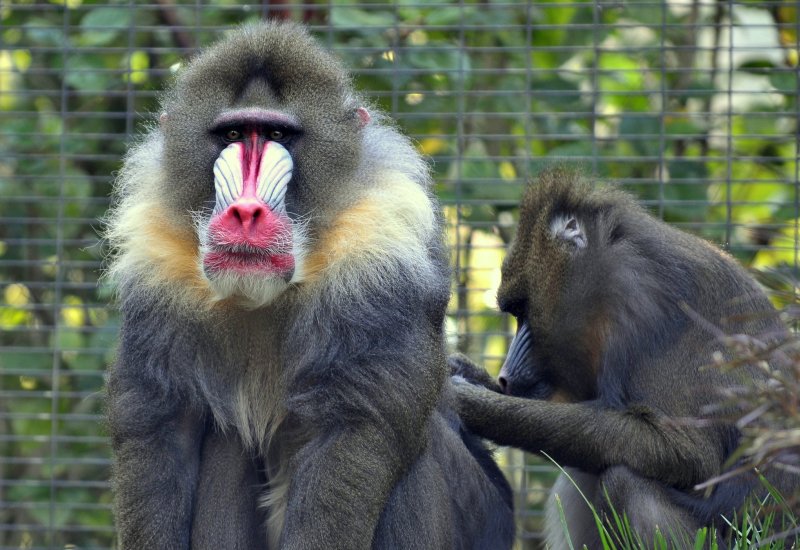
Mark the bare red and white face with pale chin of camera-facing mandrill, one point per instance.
(250, 246)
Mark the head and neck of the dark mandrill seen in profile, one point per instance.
(591, 278)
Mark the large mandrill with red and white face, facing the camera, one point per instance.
(281, 379)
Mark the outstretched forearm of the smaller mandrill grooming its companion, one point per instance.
(593, 438)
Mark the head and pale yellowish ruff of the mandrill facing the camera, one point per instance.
(264, 172)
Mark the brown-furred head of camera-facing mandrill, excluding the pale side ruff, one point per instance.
(260, 154)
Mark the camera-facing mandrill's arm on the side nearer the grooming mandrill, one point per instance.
(364, 394)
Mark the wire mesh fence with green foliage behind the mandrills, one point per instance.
(692, 105)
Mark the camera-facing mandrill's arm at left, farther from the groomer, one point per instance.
(156, 438)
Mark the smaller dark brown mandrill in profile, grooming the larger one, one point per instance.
(607, 366)
